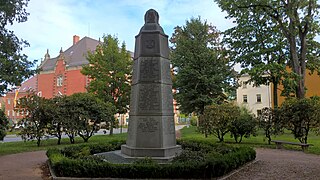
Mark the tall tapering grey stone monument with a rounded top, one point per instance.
(151, 130)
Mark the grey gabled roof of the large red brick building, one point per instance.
(74, 56)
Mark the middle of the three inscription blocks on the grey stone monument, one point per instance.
(149, 97)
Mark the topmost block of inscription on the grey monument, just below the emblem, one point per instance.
(149, 69)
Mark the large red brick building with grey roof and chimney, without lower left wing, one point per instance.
(61, 75)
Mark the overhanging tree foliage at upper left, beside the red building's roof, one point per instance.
(14, 66)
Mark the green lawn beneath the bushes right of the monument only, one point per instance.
(259, 140)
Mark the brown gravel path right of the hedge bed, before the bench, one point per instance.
(281, 164)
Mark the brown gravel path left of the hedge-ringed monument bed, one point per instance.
(22, 166)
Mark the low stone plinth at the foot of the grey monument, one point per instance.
(151, 152)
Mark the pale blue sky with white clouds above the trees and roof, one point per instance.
(52, 23)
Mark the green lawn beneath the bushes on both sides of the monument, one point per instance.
(258, 141)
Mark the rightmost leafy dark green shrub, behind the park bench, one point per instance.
(300, 116)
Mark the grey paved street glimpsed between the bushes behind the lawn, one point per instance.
(14, 138)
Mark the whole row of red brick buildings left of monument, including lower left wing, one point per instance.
(58, 76)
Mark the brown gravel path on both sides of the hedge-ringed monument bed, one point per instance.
(271, 164)
